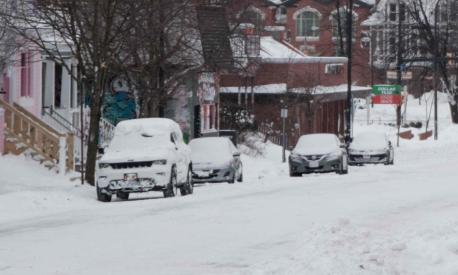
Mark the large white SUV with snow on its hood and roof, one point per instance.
(145, 155)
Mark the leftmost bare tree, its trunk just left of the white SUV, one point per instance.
(86, 30)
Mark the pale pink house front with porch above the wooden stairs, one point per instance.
(43, 87)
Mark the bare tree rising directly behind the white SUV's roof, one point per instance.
(161, 48)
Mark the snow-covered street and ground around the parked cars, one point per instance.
(399, 219)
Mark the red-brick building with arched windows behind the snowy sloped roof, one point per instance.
(312, 27)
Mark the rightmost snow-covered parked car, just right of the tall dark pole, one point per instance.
(370, 147)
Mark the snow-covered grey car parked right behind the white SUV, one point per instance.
(215, 159)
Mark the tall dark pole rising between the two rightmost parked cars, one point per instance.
(349, 74)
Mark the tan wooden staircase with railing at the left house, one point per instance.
(27, 134)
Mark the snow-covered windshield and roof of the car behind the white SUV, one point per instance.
(209, 149)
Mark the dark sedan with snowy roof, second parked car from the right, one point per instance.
(318, 153)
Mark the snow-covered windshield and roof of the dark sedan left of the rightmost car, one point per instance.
(316, 144)
